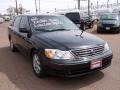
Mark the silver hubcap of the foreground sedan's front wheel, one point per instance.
(36, 64)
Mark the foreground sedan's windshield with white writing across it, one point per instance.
(51, 23)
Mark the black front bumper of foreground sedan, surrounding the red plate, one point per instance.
(76, 69)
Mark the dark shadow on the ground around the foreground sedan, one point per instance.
(17, 70)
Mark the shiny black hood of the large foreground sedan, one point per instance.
(68, 39)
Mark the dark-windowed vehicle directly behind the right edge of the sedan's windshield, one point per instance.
(74, 16)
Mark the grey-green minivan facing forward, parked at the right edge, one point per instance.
(109, 22)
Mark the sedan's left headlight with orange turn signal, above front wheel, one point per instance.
(57, 54)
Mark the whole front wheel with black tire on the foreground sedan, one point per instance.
(37, 66)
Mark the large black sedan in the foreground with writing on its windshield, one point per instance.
(57, 46)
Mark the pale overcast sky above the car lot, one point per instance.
(46, 5)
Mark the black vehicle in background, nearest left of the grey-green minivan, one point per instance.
(88, 21)
